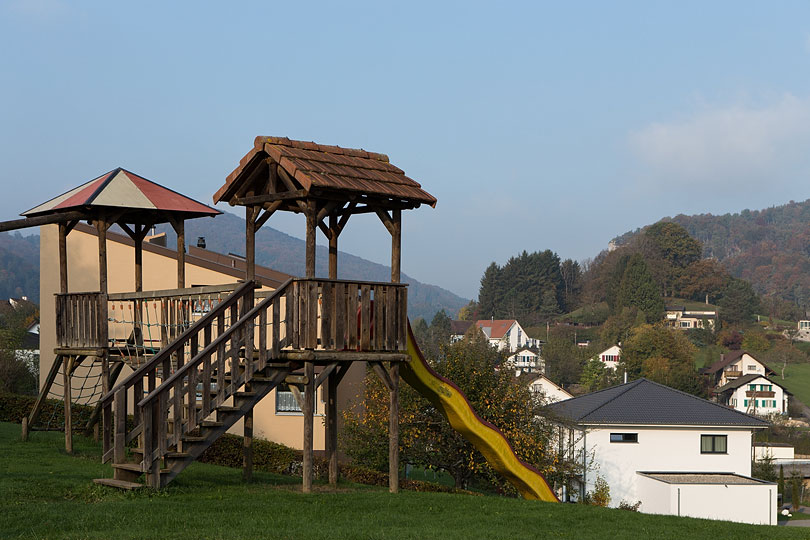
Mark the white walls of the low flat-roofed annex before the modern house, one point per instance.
(743, 503)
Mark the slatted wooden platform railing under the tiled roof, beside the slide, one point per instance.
(348, 315)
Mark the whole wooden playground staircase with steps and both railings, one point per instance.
(177, 420)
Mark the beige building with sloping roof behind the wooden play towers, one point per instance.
(277, 417)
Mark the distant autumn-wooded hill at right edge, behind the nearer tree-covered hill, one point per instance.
(769, 248)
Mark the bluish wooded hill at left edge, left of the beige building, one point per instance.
(19, 266)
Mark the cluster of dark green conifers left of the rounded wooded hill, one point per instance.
(529, 288)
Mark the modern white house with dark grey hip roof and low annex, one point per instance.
(675, 453)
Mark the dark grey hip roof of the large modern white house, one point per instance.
(646, 402)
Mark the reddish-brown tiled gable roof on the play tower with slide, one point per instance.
(331, 167)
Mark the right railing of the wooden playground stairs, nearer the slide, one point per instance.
(210, 378)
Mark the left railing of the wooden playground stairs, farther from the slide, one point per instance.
(160, 366)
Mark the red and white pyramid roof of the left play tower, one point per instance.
(123, 189)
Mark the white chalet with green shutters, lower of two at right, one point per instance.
(754, 394)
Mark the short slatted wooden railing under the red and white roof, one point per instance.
(81, 320)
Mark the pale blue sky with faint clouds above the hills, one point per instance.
(536, 125)
